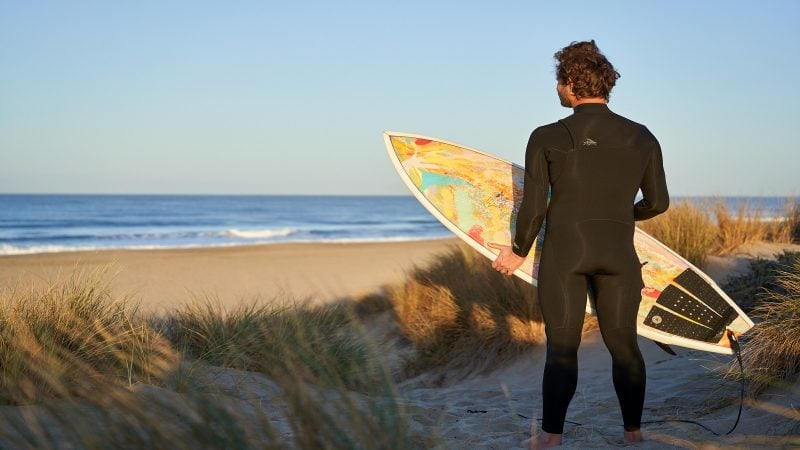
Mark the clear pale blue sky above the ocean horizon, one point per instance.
(268, 97)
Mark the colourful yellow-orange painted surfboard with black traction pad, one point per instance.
(476, 196)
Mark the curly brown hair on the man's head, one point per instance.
(590, 73)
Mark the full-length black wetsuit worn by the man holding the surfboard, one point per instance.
(594, 162)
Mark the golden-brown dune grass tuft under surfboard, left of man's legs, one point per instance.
(460, 313)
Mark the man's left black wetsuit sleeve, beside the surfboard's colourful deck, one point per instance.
(533, 208)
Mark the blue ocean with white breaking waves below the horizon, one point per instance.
(58, 223)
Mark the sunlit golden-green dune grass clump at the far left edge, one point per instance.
(52, 337)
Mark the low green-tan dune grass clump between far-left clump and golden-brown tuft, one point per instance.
(320, 345)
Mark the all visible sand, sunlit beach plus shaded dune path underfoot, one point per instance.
(483, 411)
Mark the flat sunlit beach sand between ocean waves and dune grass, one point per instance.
(160, 280)
